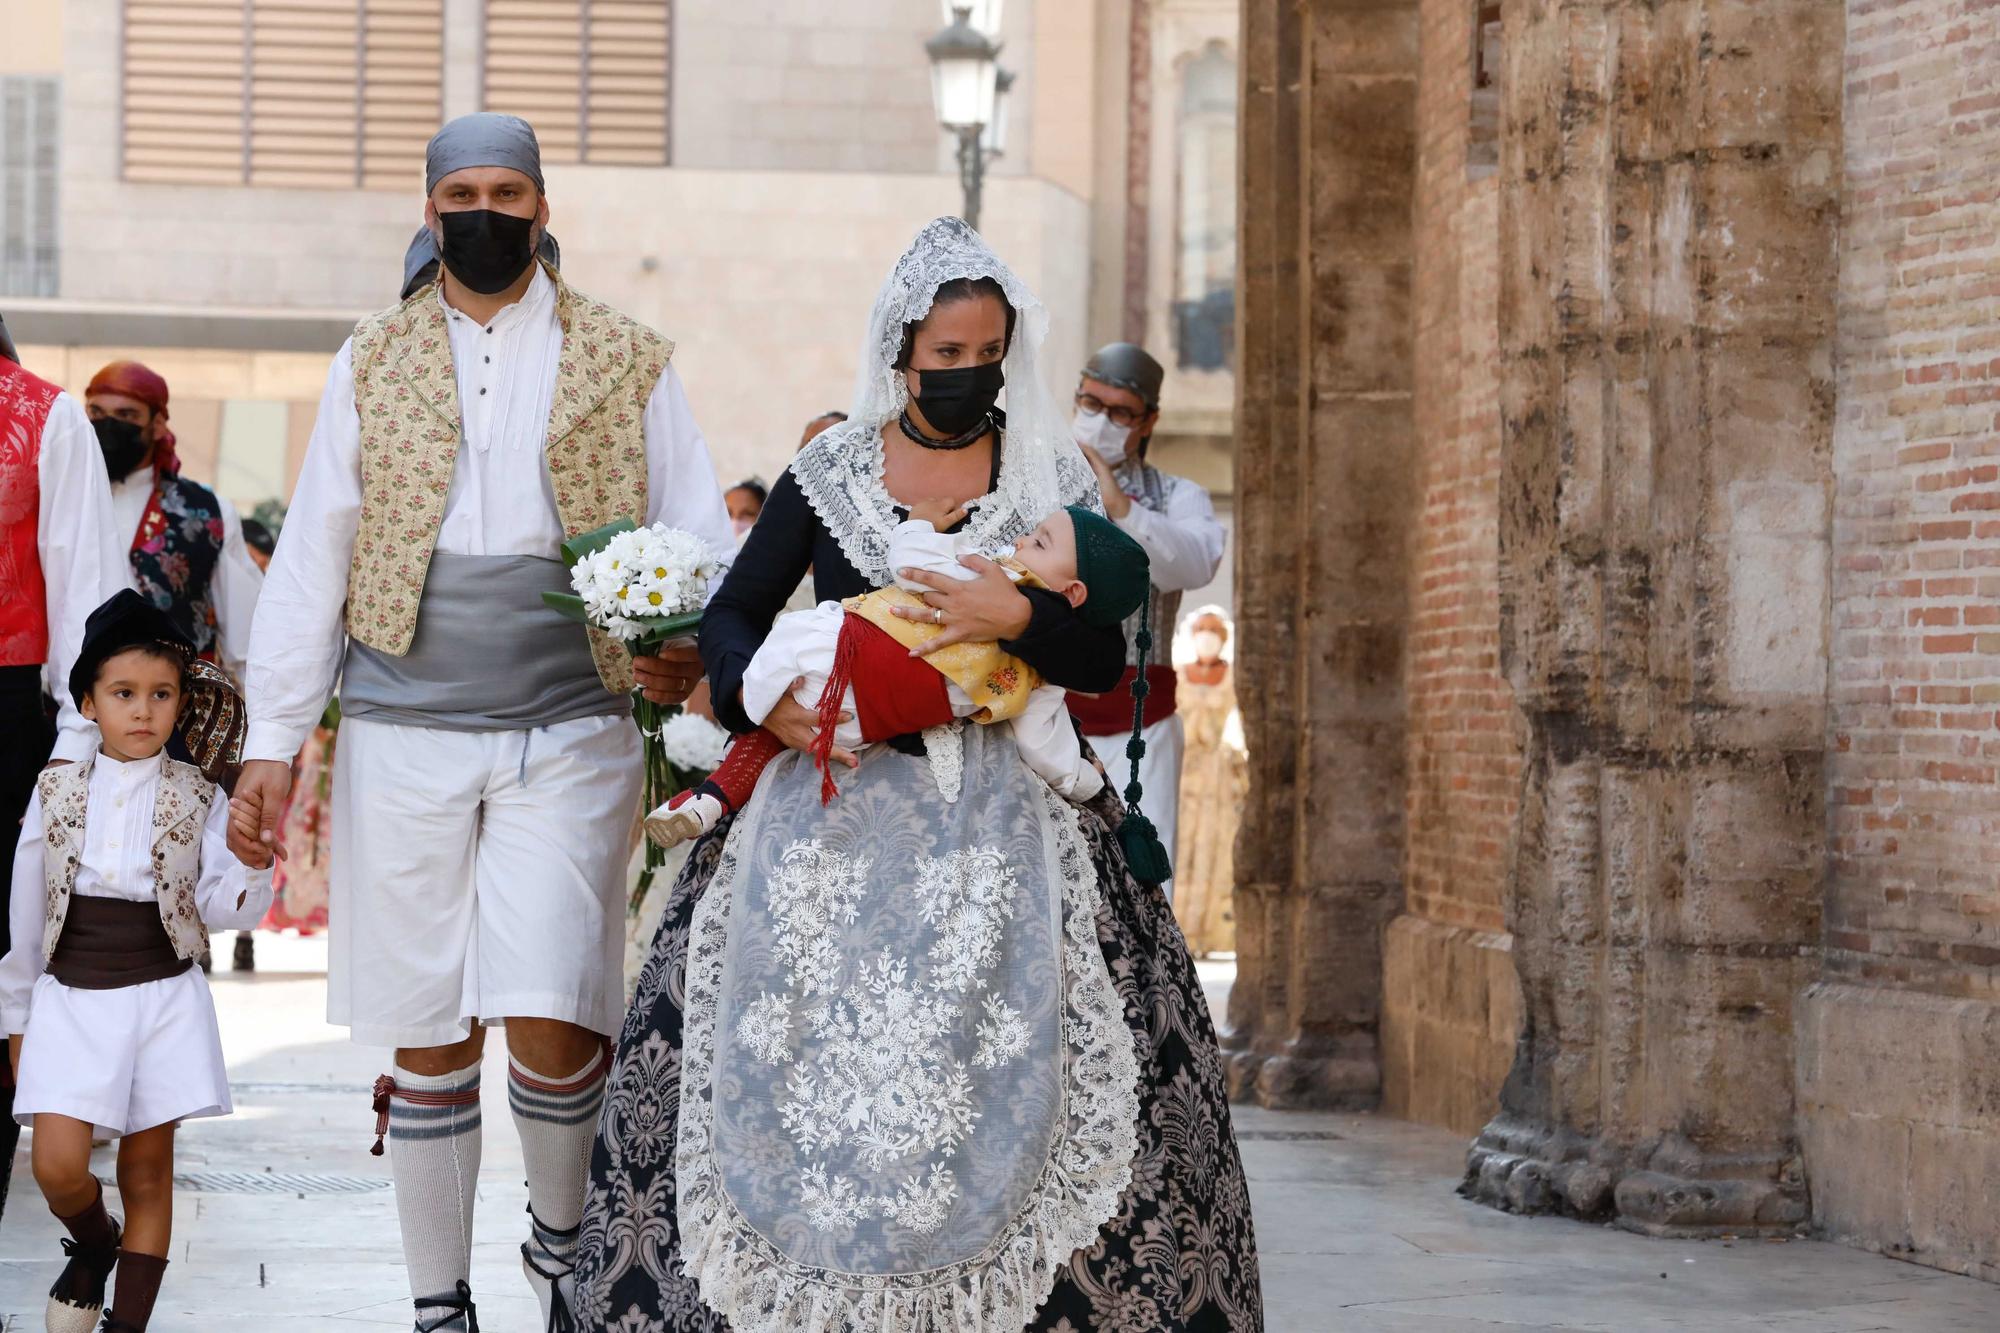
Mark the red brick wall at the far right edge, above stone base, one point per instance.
(1915, 894)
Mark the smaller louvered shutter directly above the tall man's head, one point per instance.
(589, 75)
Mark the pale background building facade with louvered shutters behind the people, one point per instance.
(221, 187)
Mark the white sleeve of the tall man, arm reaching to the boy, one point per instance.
(297, 637)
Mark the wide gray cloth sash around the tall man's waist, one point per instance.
(489, 655)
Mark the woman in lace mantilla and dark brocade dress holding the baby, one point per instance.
(927, 1056)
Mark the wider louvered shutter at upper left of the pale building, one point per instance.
(281, 93)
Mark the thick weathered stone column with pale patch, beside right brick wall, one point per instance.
(1669, 213)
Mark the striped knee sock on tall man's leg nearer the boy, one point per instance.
(435, 1156)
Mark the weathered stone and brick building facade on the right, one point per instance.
(1619, 607)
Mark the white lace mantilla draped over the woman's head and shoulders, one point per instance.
(1041, 467)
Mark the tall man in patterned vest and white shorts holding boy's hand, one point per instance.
(489, 772)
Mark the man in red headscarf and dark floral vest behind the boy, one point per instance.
(187, 543)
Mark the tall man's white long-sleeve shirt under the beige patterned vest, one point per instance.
(501, 501)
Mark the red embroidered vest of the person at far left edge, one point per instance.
(25, 401)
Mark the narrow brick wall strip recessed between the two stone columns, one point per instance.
(1451, 1002)
